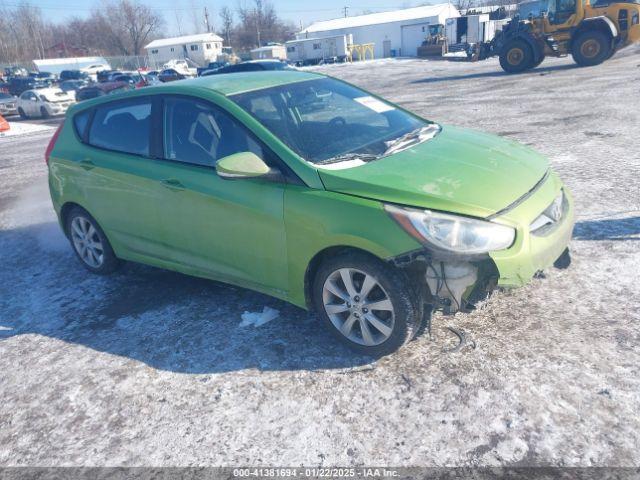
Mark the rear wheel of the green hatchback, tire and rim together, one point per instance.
(89, 243)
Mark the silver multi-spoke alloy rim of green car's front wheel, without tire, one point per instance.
(358, 306)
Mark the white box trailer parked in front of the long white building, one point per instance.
(312, 51)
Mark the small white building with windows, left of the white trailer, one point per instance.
(201, 49)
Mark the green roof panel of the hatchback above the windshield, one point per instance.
(234, 83)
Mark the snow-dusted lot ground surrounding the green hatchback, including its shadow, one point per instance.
(148, 367)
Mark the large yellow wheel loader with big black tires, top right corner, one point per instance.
(591, 33)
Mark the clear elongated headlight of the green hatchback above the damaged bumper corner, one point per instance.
(451, 232)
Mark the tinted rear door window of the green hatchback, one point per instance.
(122, 127)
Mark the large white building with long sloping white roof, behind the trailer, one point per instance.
(398, 32)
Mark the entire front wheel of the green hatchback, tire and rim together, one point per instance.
(367, 304)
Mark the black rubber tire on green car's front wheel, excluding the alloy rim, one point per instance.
(407, 310)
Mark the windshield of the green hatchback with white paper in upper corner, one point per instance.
(326, 121)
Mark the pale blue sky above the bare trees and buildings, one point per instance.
(180, 13)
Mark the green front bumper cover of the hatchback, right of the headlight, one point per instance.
(533, 252)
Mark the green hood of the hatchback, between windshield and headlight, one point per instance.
(459, 170)
